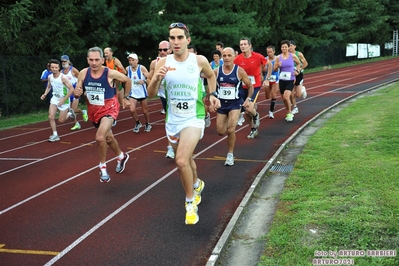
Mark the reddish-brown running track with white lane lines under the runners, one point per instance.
(54, 210)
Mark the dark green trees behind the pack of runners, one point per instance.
(42, 29)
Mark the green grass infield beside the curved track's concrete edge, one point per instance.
(344, 191)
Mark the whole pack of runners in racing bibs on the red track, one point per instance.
(190, 89)
